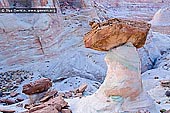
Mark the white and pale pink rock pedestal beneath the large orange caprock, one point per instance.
(122, 89)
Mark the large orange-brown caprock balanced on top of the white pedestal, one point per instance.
(116, 32)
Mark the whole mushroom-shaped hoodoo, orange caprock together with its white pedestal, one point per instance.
(122, 88)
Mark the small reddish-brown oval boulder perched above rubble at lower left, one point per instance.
(38, 86)
